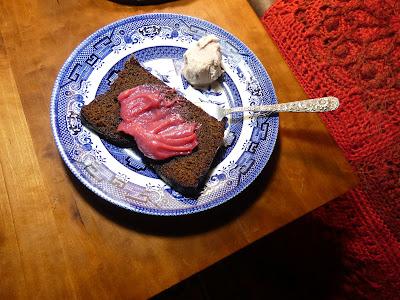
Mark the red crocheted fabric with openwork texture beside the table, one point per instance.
(351, 49)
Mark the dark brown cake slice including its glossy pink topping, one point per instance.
(177, 139)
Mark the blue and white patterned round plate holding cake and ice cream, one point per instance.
(158, 42)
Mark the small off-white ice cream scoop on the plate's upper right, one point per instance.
(202, 61)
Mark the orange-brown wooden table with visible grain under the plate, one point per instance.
(58, 240)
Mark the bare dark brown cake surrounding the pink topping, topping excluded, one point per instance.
(185, 174)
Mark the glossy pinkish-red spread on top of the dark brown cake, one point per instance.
(148, 115)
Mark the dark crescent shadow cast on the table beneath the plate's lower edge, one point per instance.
(187, 224)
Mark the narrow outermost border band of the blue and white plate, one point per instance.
(135, 208)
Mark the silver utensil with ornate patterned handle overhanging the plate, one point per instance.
(311, 105)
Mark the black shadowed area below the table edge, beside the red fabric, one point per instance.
(303, 260)
